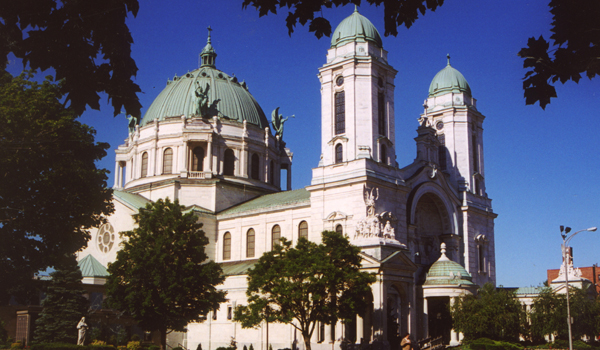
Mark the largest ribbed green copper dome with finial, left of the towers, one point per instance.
(224, 95)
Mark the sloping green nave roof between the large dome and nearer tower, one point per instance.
(270, 201)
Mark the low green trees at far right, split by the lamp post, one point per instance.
(549, 314)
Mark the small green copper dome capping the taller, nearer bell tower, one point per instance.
(355, 27)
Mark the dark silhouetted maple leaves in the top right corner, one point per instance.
(573, 50)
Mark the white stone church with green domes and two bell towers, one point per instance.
(426, 229)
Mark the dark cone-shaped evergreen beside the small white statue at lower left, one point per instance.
(64, 305)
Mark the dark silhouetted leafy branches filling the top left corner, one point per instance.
(87, 43)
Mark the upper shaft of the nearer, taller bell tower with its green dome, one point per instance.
(357, 96)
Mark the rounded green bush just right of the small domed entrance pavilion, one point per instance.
(494, 313)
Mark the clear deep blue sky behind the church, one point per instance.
(541, 166)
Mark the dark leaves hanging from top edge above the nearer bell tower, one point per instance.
(396, 12)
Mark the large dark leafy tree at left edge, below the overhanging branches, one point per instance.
(51, 192)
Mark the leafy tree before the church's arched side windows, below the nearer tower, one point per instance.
(309, 283)
